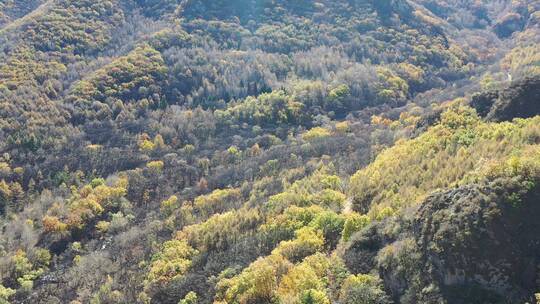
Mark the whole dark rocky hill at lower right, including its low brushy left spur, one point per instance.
(478, 243)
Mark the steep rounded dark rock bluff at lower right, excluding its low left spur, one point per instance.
(479, 236)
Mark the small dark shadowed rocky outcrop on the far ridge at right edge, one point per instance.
(521, 99)
